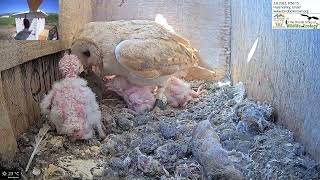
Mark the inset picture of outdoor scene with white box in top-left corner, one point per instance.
(29, 19)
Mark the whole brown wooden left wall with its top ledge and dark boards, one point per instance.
(27, 71)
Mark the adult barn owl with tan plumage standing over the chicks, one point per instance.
(144, 52)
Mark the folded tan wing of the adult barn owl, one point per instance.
(151, 58)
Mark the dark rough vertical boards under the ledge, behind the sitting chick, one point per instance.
(24, 86)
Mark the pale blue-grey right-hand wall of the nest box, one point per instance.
(285, 69)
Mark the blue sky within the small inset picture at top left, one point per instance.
(8, 6)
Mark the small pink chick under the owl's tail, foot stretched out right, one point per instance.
(179, 93)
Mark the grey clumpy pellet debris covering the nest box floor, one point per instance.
(158, 146)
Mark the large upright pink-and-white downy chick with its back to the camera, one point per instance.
(71, 105)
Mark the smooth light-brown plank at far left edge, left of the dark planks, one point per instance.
(8, 143)
